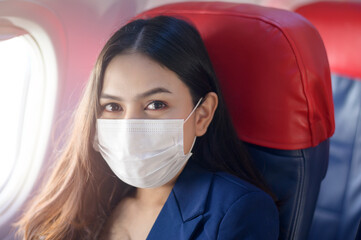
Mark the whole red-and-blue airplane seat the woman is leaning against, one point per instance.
(275, 78)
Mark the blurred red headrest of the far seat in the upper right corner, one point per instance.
(339, 24)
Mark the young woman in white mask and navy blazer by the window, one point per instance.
(153, 153)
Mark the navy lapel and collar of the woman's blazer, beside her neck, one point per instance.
(184, 208)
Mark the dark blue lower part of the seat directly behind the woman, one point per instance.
(294, 176)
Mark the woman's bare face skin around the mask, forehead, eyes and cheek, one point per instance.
(136, 87)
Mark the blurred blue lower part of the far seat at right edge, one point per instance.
(338, 208)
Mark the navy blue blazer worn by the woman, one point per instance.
(206, 205)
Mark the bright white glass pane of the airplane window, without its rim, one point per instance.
(15, 63)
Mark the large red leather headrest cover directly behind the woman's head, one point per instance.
(272, 67)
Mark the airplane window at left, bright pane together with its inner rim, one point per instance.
(22, 95)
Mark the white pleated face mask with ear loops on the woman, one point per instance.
(144, 153)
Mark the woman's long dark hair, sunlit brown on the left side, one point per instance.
(82, 190)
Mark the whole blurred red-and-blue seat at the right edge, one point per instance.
(338, 209)
